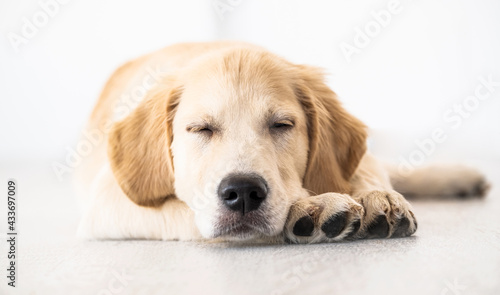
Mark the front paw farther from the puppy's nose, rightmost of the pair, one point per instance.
(387, 214)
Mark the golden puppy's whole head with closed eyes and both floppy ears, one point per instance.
(239, 137)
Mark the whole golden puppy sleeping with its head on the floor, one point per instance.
(226, 140)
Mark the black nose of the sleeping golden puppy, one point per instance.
(242, 192)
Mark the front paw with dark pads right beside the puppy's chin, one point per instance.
(323, 218)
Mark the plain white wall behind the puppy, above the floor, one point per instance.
(426, 59)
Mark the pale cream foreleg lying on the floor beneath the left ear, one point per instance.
(109, 214)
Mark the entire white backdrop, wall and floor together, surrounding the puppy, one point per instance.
(427, 58)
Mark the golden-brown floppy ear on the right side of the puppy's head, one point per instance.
(337, 140)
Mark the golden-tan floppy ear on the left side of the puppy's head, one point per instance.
(139, 149)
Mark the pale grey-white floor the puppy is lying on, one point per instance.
(456, 251)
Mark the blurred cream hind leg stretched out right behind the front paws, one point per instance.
(440, 181)
